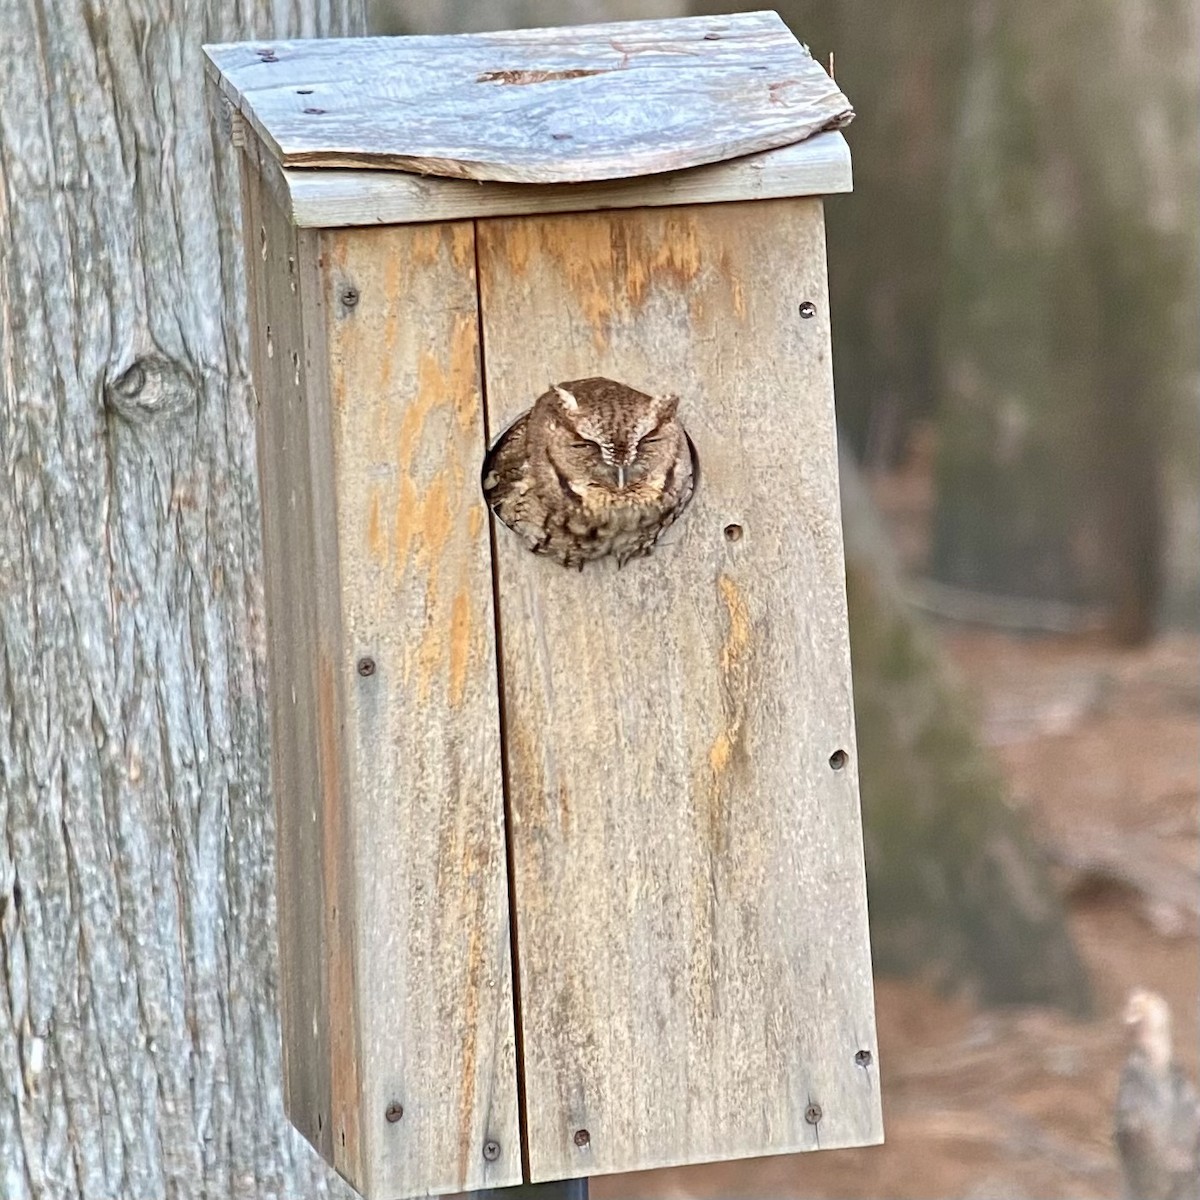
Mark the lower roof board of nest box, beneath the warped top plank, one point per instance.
(819, 166)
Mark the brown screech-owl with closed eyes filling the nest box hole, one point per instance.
(595, 469)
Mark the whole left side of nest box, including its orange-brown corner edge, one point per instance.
(314, 881)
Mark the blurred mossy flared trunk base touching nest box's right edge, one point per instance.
(956, 887)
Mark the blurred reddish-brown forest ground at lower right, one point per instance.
(1102, 751)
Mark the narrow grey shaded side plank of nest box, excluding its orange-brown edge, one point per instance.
(290, 553)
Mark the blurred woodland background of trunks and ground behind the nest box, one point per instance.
(1016, 301)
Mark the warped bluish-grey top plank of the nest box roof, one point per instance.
(536, 106)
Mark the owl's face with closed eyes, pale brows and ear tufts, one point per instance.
(607, 436)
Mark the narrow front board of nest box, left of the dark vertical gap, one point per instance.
(398, 314)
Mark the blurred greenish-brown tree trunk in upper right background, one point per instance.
(1070, 355)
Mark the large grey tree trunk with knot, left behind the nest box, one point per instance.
(139, 1037)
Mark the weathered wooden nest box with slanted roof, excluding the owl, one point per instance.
(571, 871)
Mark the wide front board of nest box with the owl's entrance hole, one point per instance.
(694, 967)
